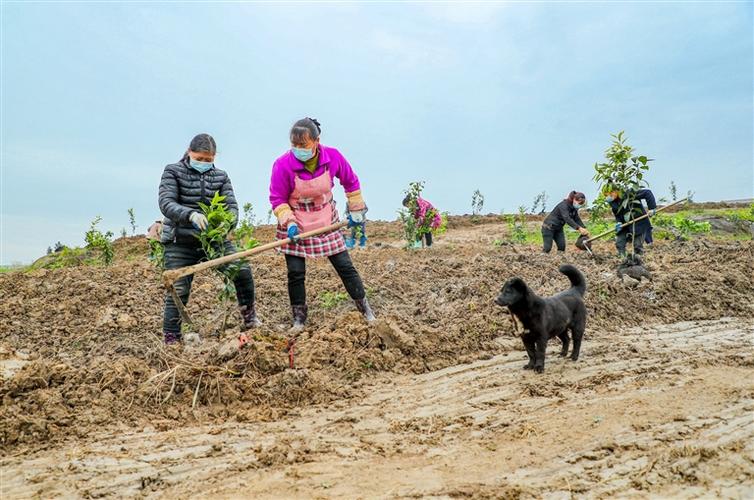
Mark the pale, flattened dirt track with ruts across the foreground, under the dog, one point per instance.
(664, 410)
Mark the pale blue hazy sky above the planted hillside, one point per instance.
(509, 98)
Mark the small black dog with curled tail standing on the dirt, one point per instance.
(544, 318)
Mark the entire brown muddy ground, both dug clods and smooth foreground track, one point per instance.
(432, 401)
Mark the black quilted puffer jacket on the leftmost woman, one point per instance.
(181, 190)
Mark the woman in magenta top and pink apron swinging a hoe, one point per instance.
(302, 200)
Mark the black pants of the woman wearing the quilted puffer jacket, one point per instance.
(180, 255)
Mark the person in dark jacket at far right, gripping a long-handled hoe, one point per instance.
(637, 231)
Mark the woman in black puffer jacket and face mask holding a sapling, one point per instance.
(184, 185)
